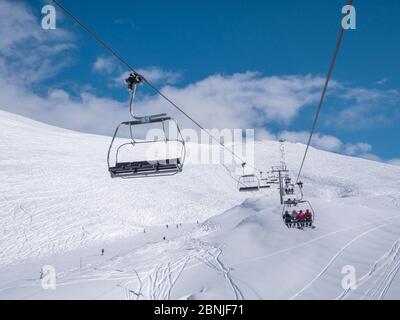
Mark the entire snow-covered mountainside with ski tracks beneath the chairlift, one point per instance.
(59, 207)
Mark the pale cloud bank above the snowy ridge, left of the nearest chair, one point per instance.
(86, 113)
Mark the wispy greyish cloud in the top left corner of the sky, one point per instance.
(26, 50)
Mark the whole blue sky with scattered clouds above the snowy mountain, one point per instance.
(229, 63)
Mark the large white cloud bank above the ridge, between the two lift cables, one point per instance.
(243, 100)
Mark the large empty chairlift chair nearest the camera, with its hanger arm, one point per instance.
(167, 166)
